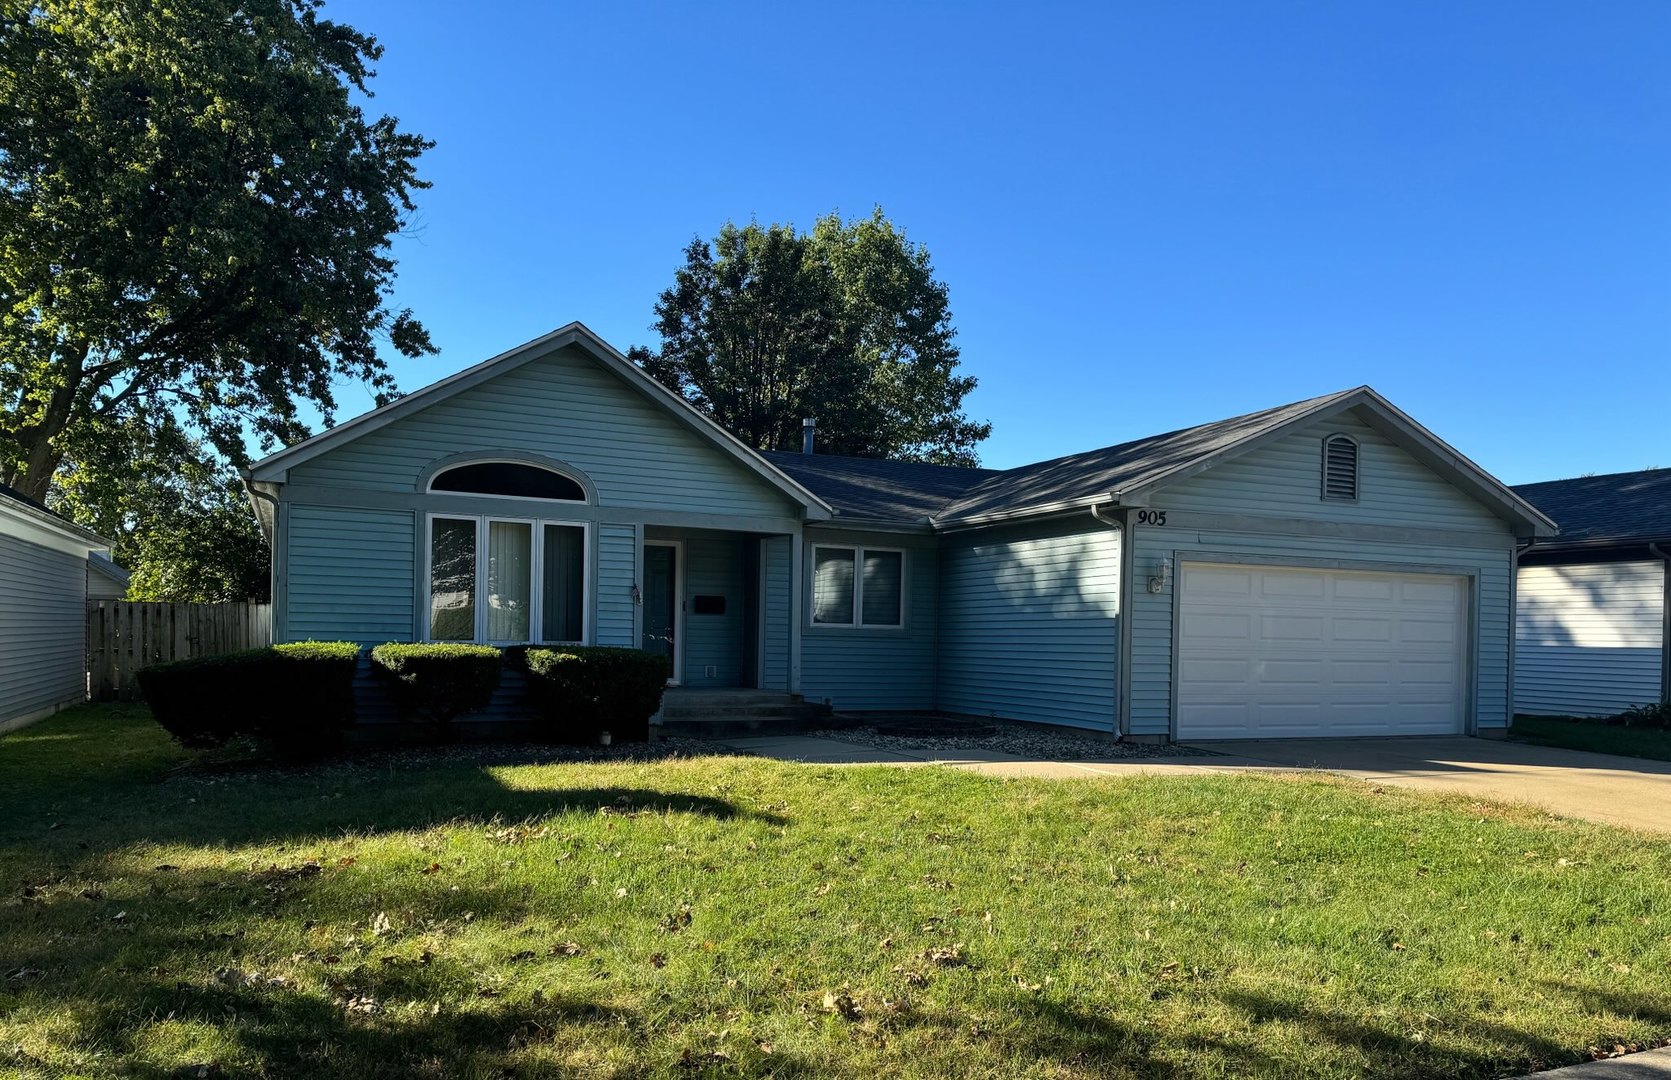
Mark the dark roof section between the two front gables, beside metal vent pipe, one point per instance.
(878, 489)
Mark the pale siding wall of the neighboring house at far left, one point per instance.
(43, 629)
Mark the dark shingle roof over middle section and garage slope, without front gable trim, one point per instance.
(903, 492)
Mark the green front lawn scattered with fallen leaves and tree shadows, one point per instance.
(734, 917)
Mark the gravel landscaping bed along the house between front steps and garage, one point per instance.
(1020, 740)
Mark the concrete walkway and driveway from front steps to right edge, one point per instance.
(1625, 792)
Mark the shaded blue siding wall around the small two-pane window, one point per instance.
(870, 668)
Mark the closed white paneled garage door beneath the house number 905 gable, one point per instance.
(1284, 653)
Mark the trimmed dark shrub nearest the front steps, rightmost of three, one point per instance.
(582, 693)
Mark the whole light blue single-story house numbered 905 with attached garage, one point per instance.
(1321, 569)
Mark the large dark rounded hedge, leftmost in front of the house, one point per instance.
(298, 696)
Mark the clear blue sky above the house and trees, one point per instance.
(1149, 215)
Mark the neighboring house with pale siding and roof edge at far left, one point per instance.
(44, 571)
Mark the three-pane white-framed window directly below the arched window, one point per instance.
(507, 581)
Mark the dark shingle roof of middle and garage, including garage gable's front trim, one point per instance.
(1124, 474)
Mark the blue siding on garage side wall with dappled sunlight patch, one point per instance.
(1030, 624)
